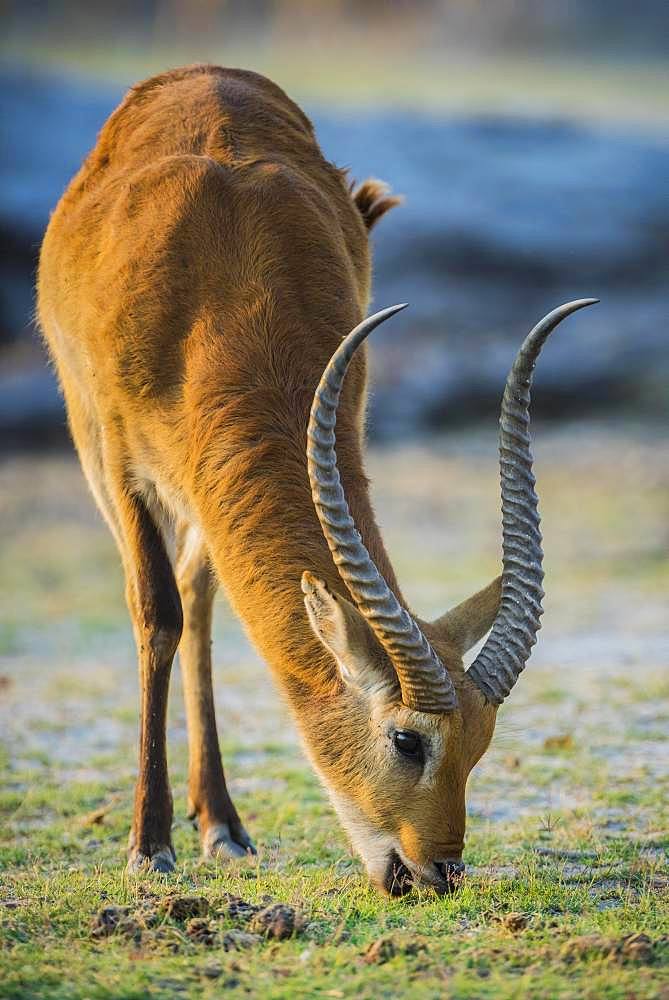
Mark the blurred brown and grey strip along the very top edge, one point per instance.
(612, 25)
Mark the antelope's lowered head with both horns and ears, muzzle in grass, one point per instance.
(410, 721)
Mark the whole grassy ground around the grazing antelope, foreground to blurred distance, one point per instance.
(568, 831)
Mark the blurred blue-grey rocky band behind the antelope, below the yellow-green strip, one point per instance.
(504, 219)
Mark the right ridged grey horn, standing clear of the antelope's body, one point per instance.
(507, 649)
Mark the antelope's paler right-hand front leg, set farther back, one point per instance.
(221, 830)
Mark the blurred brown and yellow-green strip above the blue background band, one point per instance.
(594, 58)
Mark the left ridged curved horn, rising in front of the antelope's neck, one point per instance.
(424, 681)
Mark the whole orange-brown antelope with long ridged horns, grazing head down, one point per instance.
(197, 284)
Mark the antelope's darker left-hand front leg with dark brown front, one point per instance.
(155, 607)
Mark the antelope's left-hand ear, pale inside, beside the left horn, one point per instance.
(345, 634)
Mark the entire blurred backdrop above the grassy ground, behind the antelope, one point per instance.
(529, 139)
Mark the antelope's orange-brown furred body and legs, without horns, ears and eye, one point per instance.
(194, 281)
